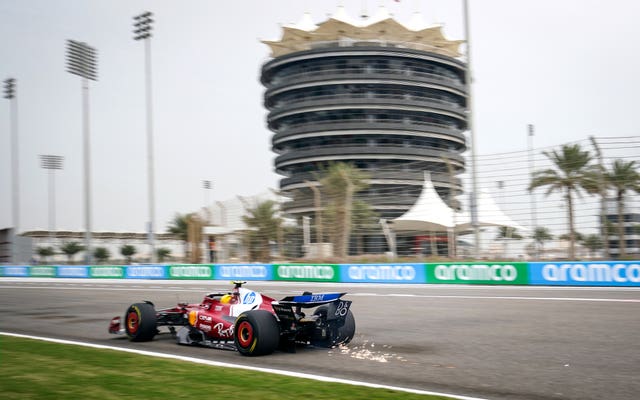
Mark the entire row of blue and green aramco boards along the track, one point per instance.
(574, 273)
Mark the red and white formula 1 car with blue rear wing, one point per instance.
(246, 321)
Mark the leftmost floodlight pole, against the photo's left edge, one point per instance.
(10, 93)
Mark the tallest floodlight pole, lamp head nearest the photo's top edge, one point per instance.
(142, 31)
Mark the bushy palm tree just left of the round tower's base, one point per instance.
(265, 225)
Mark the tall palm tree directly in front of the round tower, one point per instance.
(340, 182)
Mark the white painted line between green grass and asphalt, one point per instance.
(245, 367)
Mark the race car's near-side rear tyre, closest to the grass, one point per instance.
(256, 333)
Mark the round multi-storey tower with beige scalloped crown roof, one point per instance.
(388, 98)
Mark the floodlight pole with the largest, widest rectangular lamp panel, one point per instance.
(81, 61)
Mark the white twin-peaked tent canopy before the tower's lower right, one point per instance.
(430, 213)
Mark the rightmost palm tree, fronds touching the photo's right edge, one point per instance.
(622, 177)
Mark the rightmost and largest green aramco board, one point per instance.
(499, 273)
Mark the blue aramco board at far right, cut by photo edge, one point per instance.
(604, 273)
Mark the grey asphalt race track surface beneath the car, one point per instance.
(481, 341)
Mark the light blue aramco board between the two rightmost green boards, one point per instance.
(386, 273)
